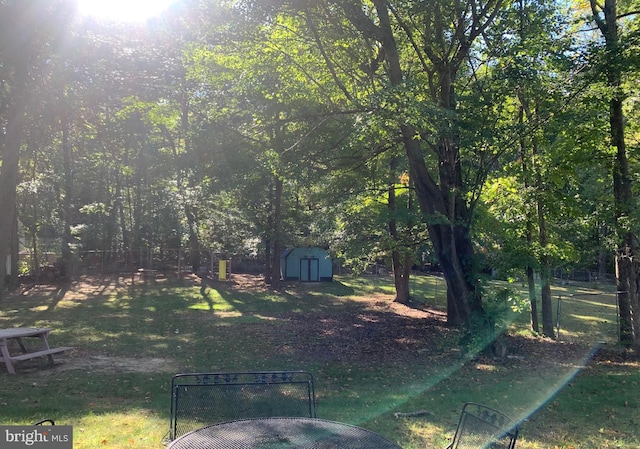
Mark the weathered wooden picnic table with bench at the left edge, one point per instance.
(16, 335)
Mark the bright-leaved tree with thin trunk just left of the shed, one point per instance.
(275, 106)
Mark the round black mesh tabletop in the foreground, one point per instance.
(282, 433)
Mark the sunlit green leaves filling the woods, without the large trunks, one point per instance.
(177, 133)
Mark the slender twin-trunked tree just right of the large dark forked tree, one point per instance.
(534, 64)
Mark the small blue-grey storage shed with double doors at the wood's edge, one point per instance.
(311, 264)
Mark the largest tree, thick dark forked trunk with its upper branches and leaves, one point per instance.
(420, 50)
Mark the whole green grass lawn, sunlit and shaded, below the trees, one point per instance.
(371, 359)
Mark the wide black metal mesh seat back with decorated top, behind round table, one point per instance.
(200, 399)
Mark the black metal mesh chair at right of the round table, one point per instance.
(481, 427)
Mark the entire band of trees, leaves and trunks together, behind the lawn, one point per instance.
(475, 136)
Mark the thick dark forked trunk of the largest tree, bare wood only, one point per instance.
(443, 204)
